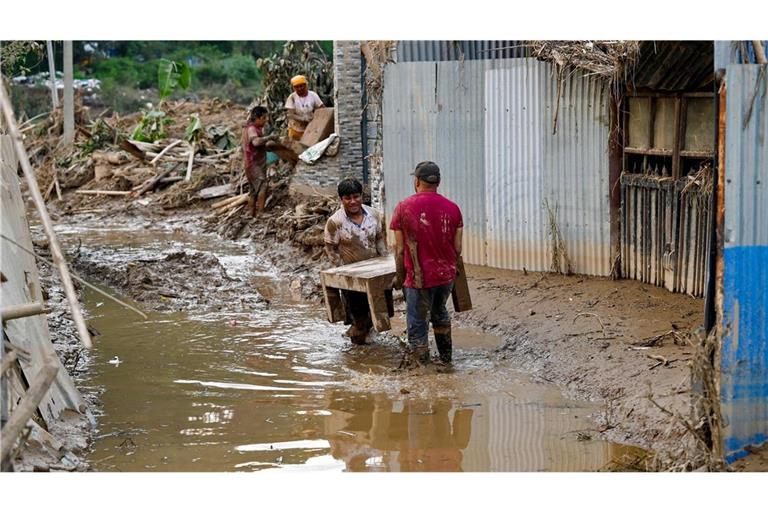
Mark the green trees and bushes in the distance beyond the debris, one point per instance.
(128, 70)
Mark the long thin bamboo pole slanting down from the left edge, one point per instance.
(37, 197)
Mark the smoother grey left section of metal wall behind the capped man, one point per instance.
(434, 111)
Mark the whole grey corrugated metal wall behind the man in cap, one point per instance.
(489, 124)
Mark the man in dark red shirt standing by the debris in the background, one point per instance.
(255, 146)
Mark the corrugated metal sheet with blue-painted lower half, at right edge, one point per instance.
(744, 355)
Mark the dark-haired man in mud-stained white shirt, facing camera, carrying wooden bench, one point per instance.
(354, 233)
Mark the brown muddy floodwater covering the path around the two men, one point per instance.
(279, 389)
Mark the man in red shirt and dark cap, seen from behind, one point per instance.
(428, 230)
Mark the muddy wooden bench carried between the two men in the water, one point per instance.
(374, 278)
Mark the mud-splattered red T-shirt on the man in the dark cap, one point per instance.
(429, 222)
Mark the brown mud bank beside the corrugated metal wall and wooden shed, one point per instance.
(618, 342)
